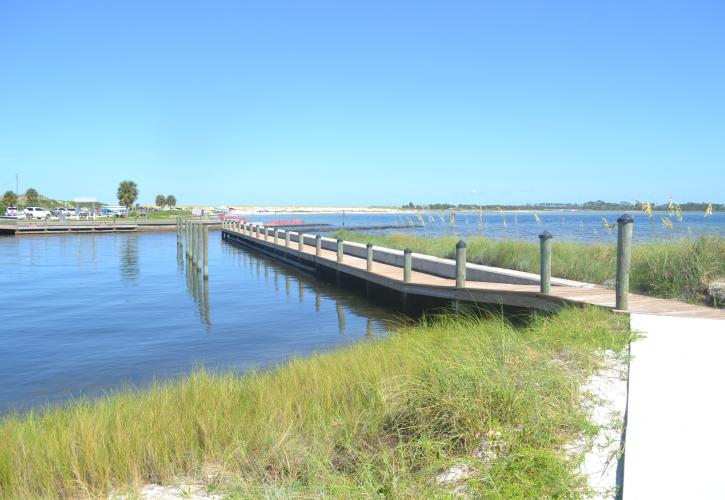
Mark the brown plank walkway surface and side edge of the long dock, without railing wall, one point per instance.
(477, 291)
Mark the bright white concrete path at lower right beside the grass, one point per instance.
(675, 441)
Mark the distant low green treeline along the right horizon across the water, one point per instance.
(589, 205)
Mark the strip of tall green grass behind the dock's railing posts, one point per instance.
(679, 269)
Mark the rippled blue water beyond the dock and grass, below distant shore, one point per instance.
(564, 225)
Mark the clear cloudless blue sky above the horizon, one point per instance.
(363, 103)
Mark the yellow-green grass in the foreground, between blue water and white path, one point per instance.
(380, 418)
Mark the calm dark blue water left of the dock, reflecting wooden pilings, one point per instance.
(83, 314)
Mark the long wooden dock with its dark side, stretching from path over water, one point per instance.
(316, 254)
